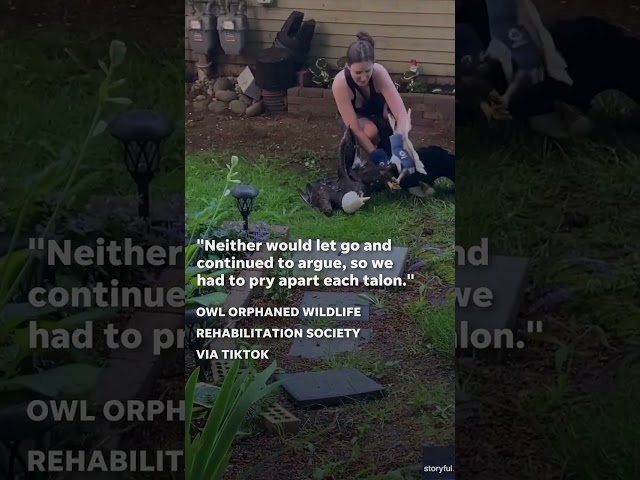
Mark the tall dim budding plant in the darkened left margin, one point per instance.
(62, 180)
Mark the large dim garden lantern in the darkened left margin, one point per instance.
(141, 133)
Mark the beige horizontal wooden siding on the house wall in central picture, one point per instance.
(423, 30)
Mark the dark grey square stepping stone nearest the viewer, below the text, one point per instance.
(330, 388)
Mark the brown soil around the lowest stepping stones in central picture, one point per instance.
(388, 435)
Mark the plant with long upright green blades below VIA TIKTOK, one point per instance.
(207, 454)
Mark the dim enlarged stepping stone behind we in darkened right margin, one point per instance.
(505, 277)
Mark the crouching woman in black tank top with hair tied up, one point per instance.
(364, 93)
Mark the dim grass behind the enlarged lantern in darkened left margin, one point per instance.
(53, 102)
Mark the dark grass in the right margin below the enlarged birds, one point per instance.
(554, 201)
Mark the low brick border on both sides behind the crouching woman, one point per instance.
(425, 107)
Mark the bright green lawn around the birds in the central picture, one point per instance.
(406, 220)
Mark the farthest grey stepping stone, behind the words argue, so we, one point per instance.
(397, 254)
